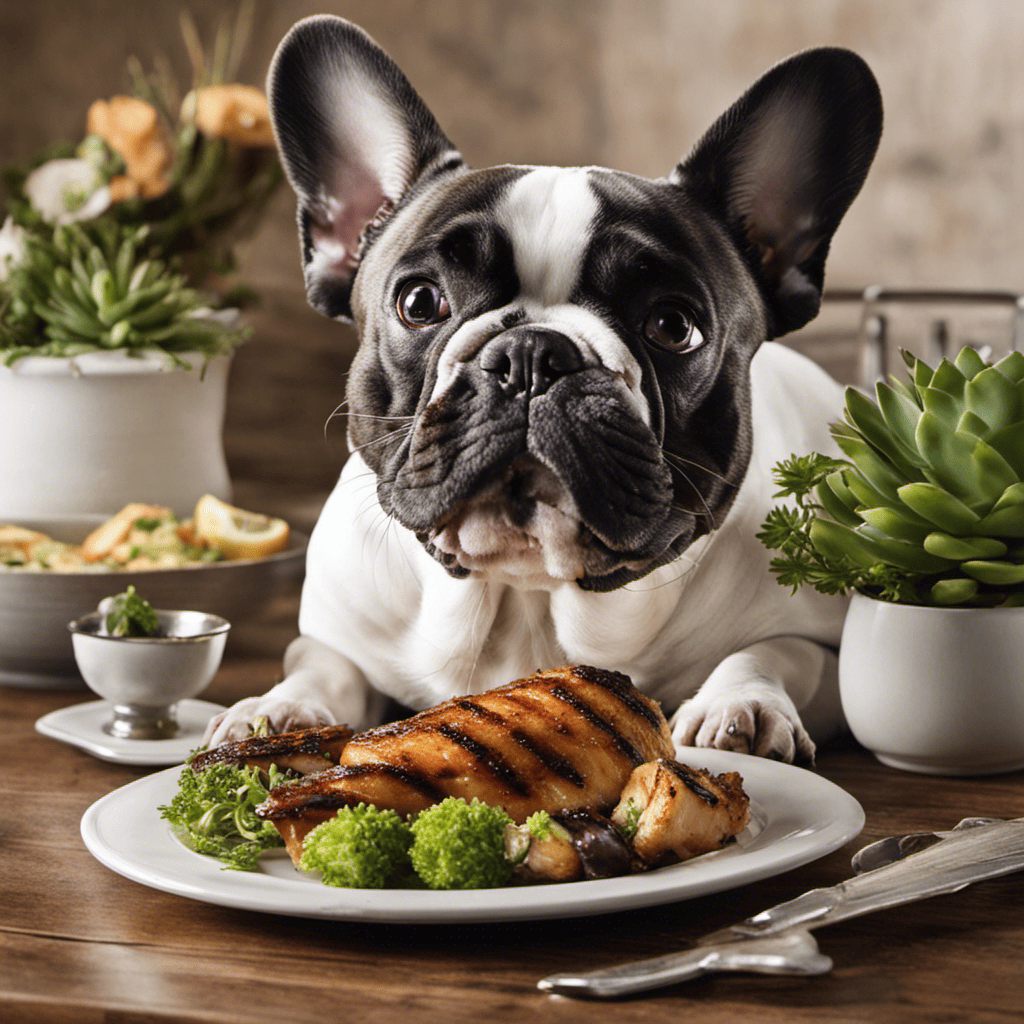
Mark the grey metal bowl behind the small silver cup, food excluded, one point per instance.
(36, 607)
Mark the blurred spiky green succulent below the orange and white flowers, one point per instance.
(92, 286)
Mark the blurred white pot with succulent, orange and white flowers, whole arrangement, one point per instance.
(117, 315)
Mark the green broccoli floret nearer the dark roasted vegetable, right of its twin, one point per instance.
(461, 846)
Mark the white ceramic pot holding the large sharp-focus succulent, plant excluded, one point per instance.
(935, 691)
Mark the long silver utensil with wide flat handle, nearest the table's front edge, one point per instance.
(779, 941)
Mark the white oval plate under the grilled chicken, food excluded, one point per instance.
(797, 818)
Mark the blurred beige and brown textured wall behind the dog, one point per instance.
(626, 83)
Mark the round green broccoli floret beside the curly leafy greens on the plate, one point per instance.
(360, 848)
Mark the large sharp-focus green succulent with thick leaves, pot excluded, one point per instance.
(928, 507)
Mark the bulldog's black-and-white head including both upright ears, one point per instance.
(552, 382)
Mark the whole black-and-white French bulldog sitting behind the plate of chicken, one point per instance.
(565, 407)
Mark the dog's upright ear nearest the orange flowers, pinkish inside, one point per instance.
(354, 137)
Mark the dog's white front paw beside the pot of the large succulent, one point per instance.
(753, 720)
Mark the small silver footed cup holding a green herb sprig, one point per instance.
(146, 677)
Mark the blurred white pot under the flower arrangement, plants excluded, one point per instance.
(95, 433)
